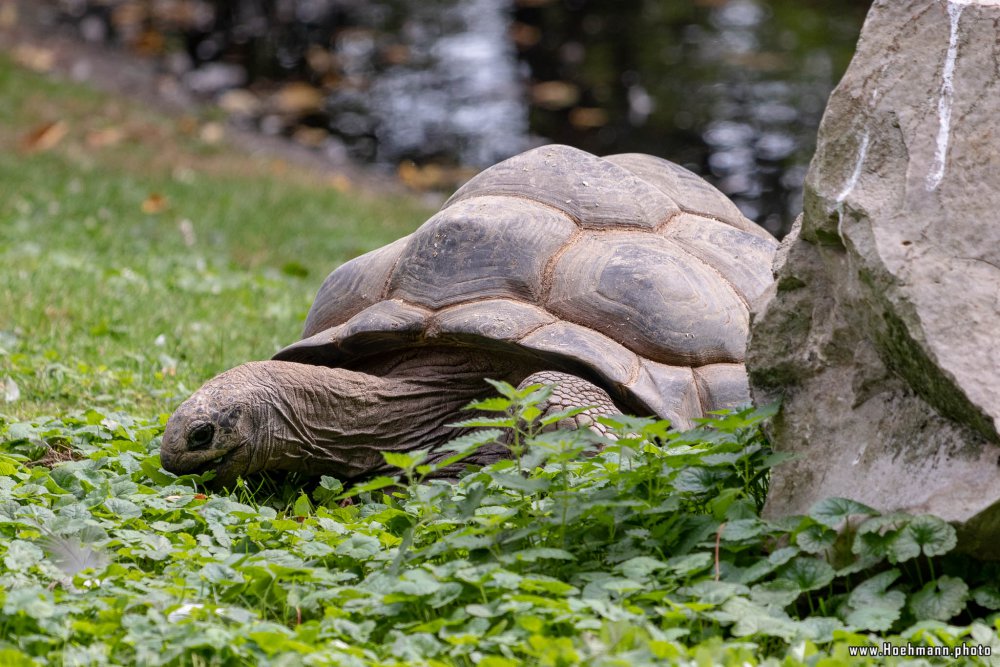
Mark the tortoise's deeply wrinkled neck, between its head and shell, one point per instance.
(337, 421)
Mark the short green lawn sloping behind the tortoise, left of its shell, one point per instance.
(103, 304)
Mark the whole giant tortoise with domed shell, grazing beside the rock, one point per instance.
(627, 279)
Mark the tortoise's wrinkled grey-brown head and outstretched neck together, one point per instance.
(315, 420)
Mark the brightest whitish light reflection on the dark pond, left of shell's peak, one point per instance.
(458, 95)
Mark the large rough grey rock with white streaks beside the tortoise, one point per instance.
(882, 331)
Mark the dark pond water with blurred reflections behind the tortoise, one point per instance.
(733, 89)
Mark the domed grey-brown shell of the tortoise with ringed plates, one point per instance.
(628, 269)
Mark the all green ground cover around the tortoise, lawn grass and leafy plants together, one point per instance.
(647, 549)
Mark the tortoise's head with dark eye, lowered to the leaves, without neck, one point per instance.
(224, 426)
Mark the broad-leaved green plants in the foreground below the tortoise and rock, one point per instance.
(648, 549)
